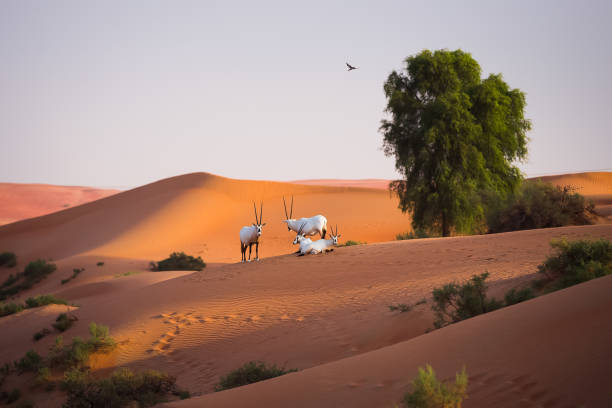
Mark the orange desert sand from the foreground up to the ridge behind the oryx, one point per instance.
(325, 315)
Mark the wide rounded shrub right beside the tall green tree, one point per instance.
(540, 205)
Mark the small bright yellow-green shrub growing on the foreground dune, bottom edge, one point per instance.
(429, 392)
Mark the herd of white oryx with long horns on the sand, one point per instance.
(304, 227)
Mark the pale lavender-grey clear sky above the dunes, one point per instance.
(123, 93)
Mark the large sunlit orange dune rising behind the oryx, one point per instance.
(200, 214)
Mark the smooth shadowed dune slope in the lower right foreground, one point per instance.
(552, 351)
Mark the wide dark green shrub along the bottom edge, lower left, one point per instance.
(124, 387)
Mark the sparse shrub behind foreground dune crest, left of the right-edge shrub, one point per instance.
(454, 302)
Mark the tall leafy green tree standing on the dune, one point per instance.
(453, 135)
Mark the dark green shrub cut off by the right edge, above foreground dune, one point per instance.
(577, 261)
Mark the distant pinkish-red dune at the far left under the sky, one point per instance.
(21, 201)
